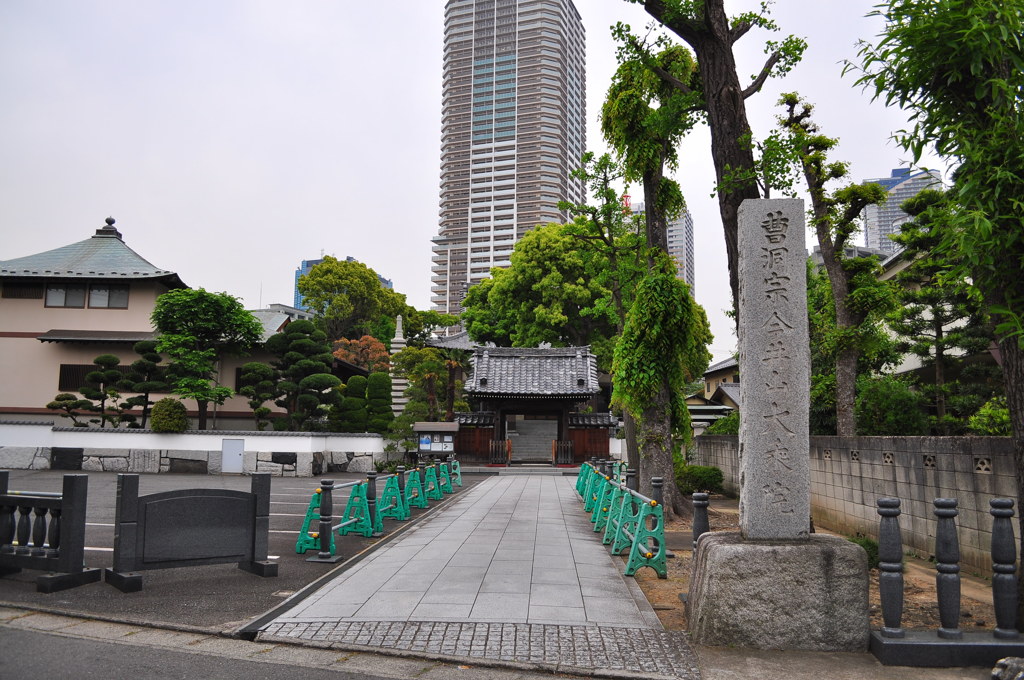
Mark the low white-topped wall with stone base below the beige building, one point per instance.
(33, 446)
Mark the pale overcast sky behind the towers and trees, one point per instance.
(233, 139)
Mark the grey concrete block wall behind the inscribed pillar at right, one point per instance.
(849, 475)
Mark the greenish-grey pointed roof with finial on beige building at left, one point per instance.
(104, 256)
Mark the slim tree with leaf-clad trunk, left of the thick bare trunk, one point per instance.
(664, 341)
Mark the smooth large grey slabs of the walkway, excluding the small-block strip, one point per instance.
(525, 538)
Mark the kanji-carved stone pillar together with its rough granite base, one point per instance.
(774, 585)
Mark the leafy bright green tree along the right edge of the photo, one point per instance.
(958, 68)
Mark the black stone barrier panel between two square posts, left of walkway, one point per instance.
(190, 528)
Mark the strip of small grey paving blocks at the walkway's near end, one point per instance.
(582, 650)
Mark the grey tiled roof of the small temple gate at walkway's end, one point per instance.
(567, 372)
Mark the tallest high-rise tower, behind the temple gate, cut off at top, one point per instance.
(513, 131)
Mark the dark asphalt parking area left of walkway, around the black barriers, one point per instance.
(219, 598)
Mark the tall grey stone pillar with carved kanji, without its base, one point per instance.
(776, 367)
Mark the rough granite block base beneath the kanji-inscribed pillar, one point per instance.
(809, 596)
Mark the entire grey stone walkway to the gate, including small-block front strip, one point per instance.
(513, 572)
